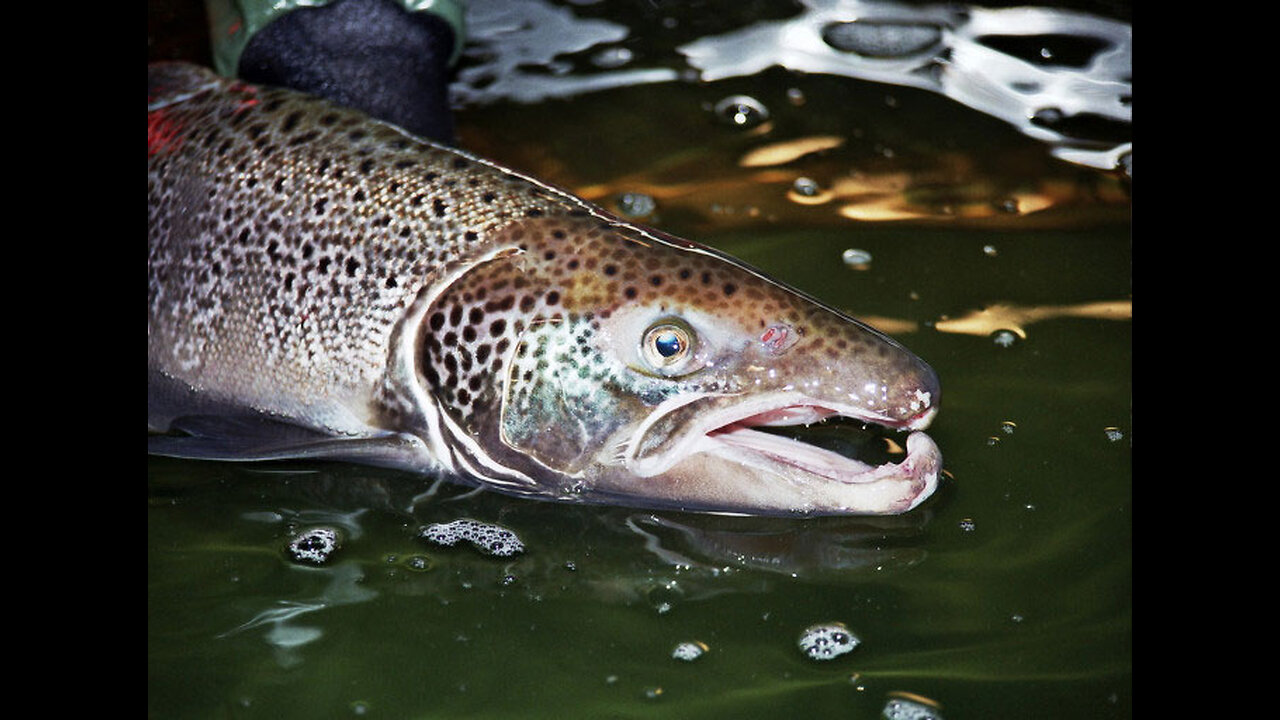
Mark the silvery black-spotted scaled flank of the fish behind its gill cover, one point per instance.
(289, 236)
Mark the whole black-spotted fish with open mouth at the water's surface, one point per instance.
(323, 285)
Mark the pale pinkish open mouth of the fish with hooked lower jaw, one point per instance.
(806, 477)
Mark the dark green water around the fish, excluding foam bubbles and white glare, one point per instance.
(1008, 595)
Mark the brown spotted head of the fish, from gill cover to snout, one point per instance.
(601, 362)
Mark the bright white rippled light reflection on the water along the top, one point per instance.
(1045, 71)
